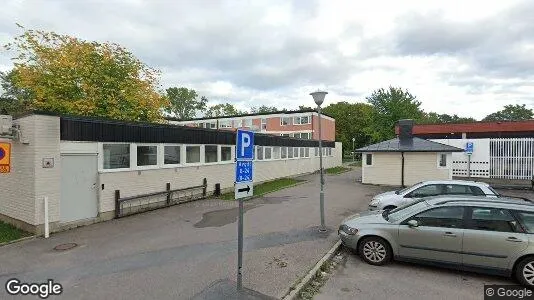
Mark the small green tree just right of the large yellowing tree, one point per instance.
(184, 103)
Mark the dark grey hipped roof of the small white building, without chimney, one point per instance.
(413, 145)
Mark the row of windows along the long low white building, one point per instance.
(119, 156)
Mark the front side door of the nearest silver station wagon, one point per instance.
(437, 238)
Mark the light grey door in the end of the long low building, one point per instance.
(78, 187)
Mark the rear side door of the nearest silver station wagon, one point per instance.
(492, 236)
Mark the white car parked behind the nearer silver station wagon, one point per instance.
(394, 199)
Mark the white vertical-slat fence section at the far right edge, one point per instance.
(512, 158)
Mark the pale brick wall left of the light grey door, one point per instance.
(23, 190)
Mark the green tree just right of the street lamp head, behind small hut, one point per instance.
(353, 120)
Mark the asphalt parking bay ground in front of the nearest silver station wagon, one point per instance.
(355, 279)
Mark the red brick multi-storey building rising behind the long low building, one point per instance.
(302, 124)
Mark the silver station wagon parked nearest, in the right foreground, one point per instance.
(490, 235)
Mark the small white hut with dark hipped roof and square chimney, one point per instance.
(406, 160)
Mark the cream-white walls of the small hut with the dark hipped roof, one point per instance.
(419, 166)
